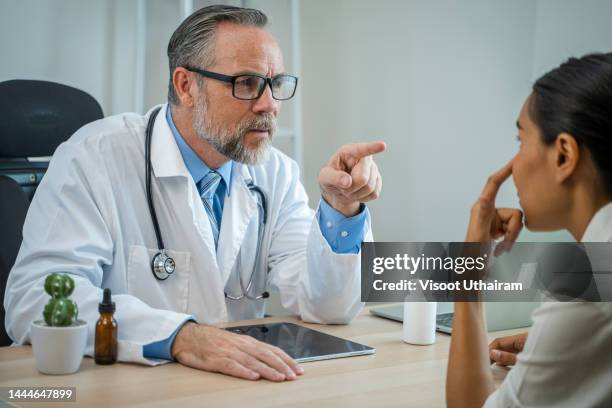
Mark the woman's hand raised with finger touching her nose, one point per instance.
(487, 222)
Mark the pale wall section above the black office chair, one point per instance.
(52, 41)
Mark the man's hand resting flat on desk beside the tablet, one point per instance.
(212, 349)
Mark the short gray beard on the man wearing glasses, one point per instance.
(231, 144)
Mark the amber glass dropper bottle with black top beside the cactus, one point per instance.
(106, 332)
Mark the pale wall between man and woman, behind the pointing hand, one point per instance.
(440, 81)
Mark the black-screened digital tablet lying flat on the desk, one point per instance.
(301, 343)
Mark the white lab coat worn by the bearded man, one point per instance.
(89, 218)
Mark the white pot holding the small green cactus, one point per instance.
(58, 350)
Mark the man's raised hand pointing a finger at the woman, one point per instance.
(351, 177)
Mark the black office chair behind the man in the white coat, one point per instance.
(35, 117)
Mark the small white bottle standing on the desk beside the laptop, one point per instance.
(419, 323)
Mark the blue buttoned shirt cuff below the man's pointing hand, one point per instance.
(344, 235)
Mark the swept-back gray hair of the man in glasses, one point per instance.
(192, 43)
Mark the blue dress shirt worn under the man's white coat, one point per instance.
(344, 235)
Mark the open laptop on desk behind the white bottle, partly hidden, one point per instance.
(499, 315)
